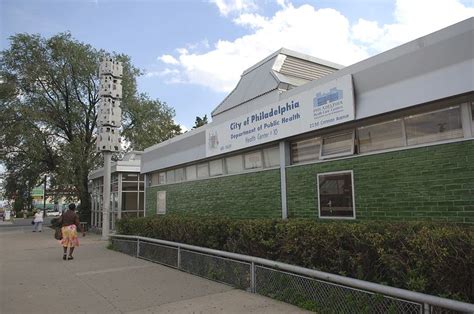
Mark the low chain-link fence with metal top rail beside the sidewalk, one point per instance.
(307, 288)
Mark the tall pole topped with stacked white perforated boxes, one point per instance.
(109, 122)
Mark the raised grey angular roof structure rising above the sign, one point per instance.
(282, 70)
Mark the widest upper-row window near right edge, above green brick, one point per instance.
(434, 126)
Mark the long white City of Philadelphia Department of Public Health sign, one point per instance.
(320, 107)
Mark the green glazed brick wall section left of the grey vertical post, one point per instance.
(248, 195)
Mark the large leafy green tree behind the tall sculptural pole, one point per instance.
(49, 91)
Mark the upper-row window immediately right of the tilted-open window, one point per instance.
(380, 136)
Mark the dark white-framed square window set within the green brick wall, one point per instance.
(336, 195)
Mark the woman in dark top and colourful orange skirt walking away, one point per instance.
(69, 223)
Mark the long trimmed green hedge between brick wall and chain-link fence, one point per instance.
(437, 259)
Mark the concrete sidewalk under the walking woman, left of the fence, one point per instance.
(35, 279)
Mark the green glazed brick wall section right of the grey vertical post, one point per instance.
(434, 183)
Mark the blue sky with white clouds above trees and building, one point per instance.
(192, 52)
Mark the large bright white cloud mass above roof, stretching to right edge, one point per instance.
(323, 33)
